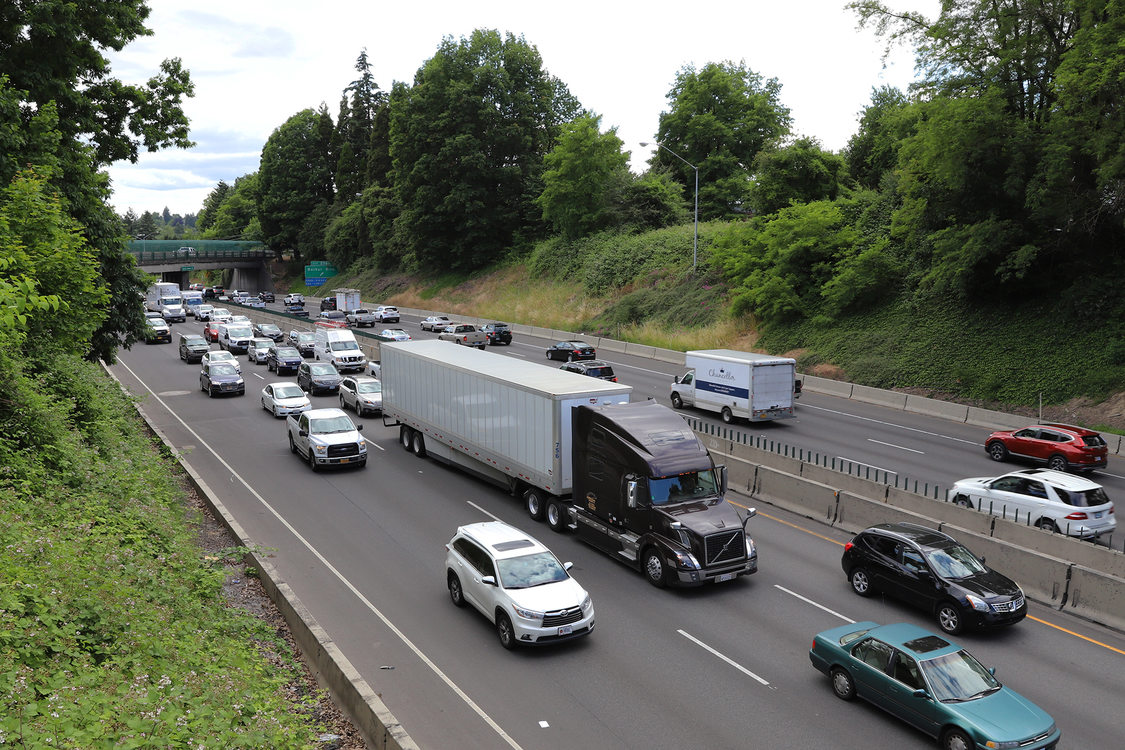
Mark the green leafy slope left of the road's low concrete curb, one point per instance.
(114, 631)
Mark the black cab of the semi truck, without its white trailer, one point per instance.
(647, 493)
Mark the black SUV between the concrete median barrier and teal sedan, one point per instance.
(932, 571)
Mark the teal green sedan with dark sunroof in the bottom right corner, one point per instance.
(931, 683)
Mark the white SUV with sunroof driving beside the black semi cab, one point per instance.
(518, 584)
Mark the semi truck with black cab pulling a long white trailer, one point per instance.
(631, 478)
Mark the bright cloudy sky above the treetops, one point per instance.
(256, 64)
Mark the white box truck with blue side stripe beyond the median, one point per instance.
(739, 385)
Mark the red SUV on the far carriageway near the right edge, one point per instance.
(1058, 446)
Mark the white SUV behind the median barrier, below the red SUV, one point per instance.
(1041, 498)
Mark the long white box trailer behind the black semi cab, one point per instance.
(503, 419)
